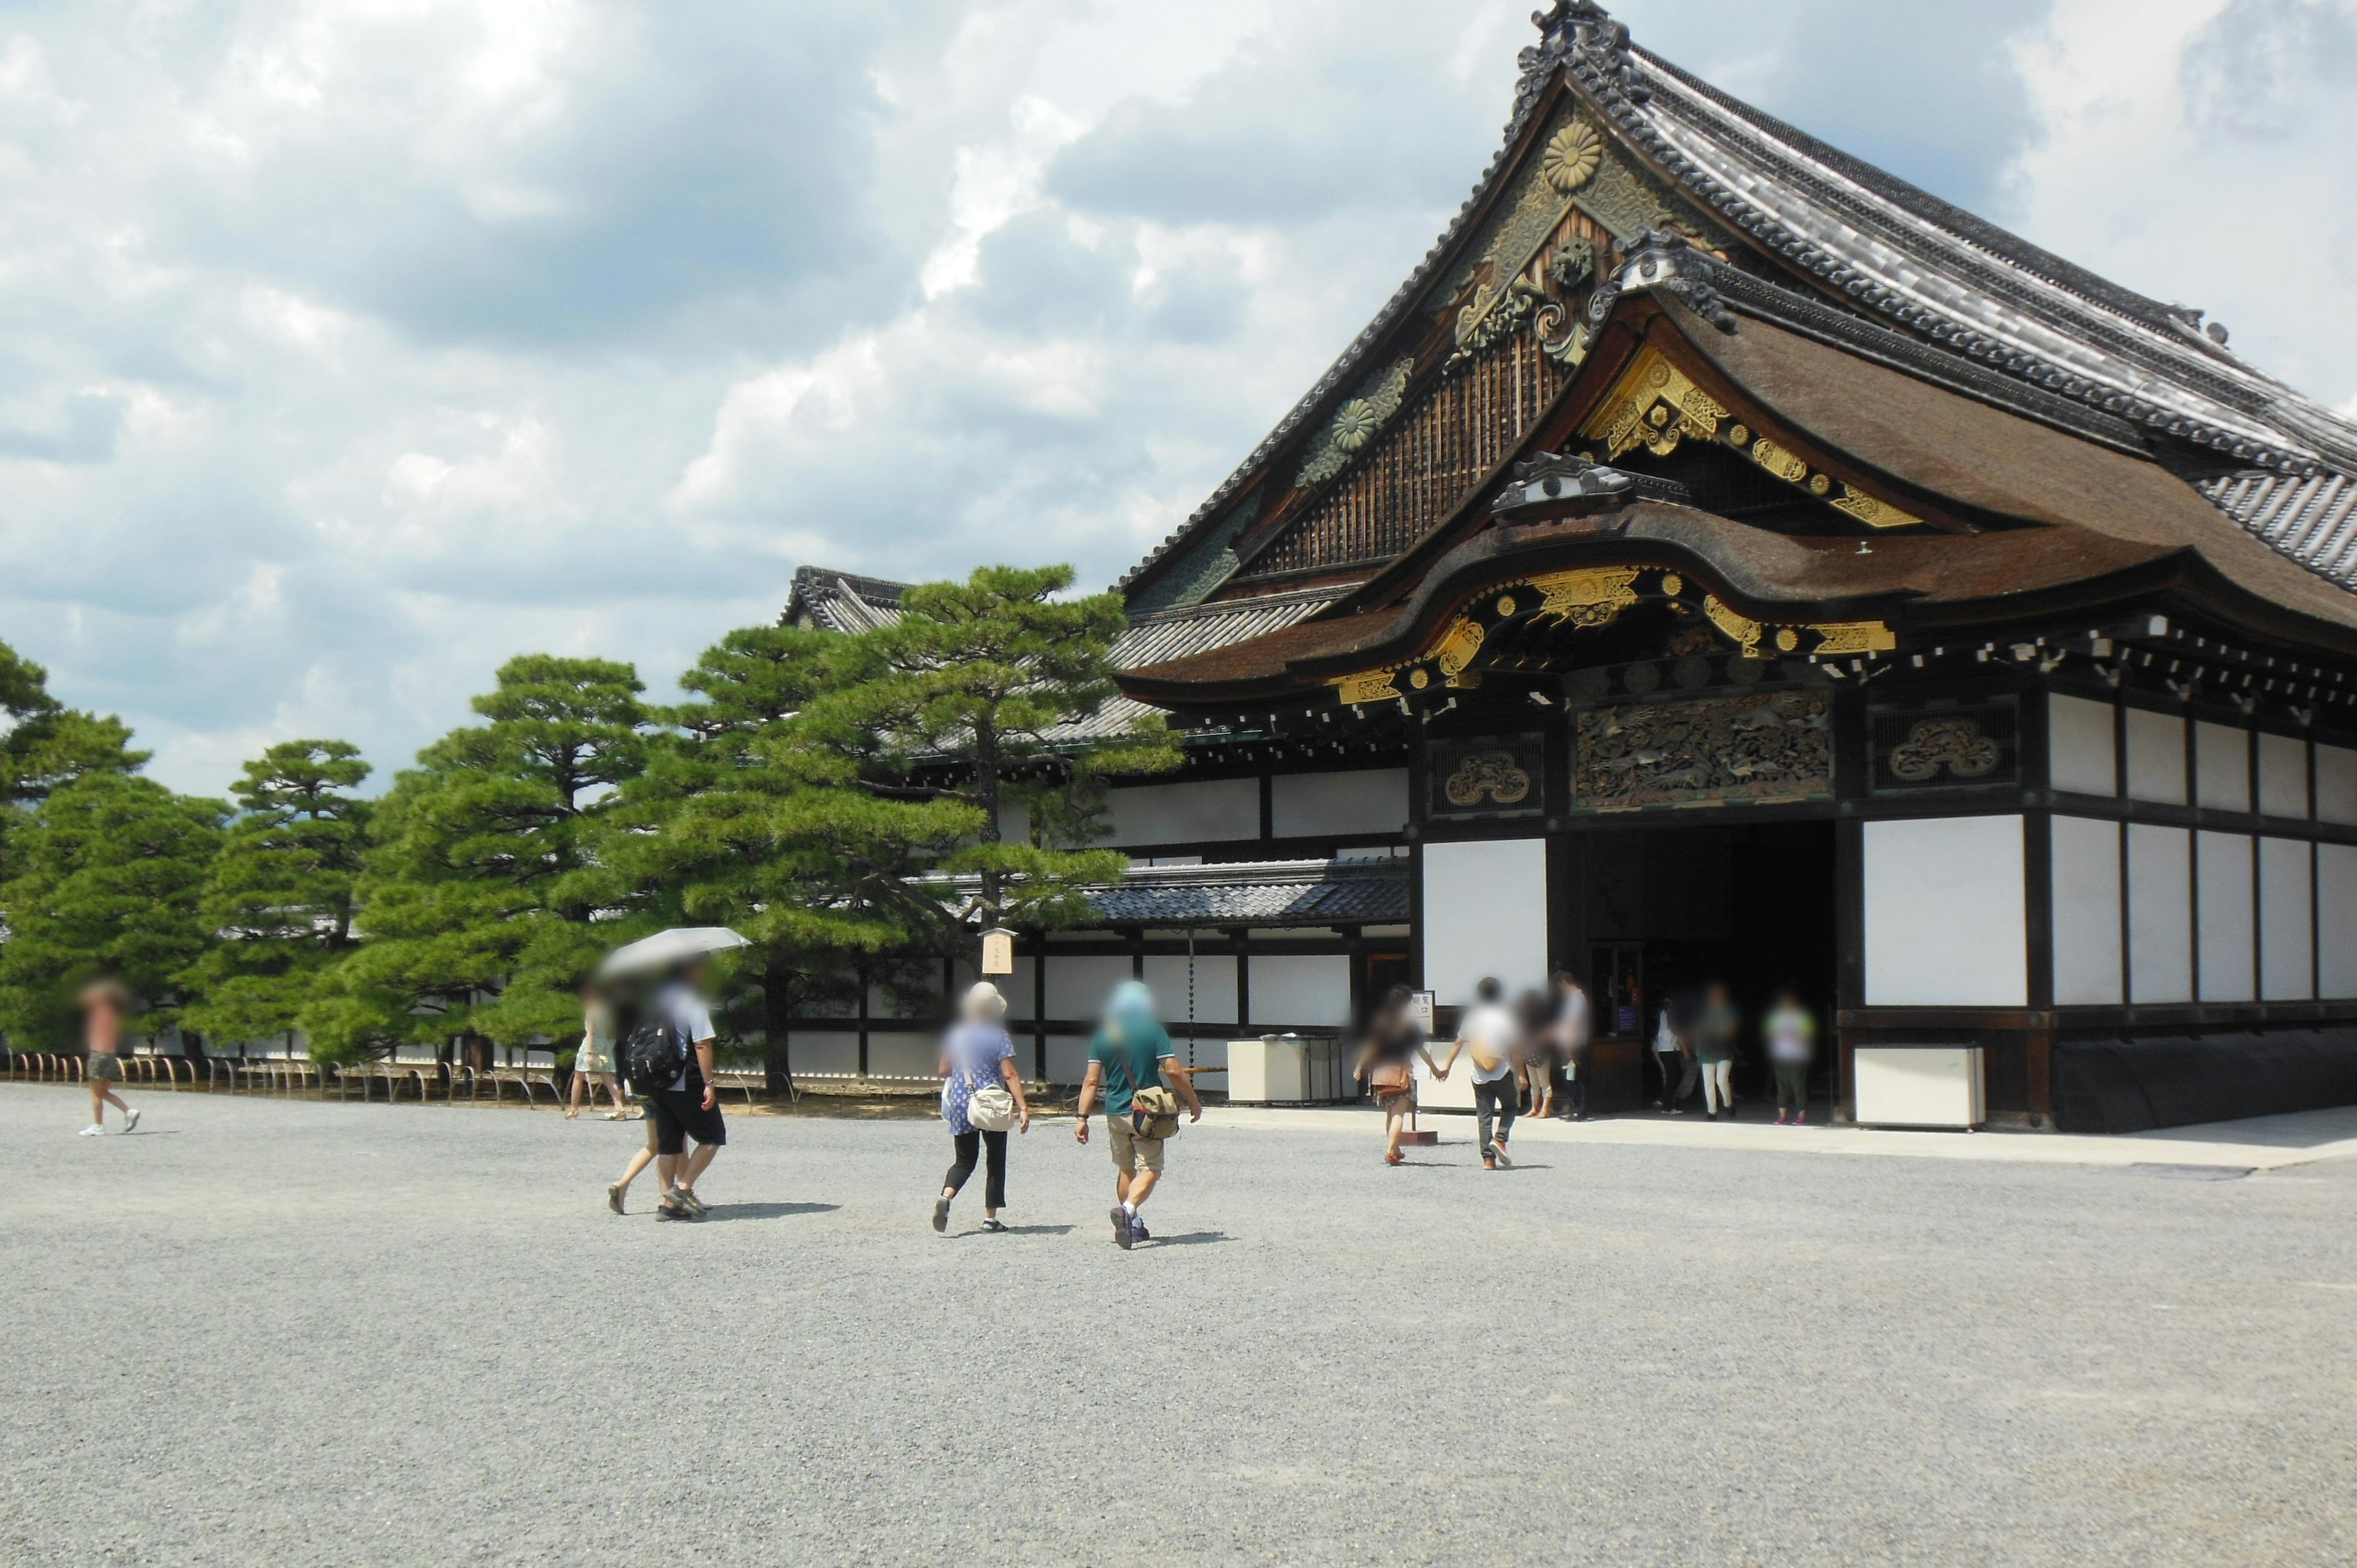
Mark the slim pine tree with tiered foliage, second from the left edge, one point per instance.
(282, 892)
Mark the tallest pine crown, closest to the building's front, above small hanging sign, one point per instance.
(963, 701)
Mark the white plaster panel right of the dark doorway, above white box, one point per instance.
(1946, 914)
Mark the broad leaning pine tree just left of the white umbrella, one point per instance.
(475, 904)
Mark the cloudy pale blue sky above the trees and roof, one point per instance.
(352, 348)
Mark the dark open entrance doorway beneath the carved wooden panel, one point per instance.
(1750, 907)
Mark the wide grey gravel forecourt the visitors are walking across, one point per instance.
(315, 1333)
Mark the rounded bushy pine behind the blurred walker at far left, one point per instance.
(105, 878)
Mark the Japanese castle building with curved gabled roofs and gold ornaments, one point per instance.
(1727, 560)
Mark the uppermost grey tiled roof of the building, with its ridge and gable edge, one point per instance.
(1891, 253)
